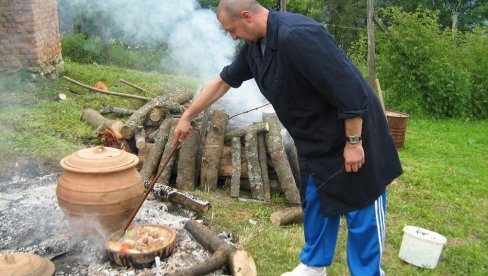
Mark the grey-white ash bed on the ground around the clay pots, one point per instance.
(31, 221)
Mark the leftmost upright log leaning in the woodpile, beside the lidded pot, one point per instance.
(154, 156)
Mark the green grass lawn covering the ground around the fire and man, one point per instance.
(444, 187)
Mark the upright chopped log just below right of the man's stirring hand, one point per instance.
(185, 179)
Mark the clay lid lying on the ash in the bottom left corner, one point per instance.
(20, 264)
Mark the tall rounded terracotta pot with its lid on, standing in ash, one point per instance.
(99, 189)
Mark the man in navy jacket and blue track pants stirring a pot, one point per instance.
(347, 155)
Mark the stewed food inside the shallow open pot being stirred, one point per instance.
(139, 239)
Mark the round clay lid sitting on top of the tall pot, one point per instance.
(99, 160)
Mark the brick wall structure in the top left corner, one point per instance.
(29, 37)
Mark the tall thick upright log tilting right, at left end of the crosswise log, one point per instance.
(212, 150)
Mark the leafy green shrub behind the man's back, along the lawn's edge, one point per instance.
(427, 71)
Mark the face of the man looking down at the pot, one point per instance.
(240, 28)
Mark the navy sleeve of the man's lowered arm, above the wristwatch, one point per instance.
(315, 54)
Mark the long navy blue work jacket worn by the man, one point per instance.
(313, 86)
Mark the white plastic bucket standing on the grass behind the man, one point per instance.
(421, 247)
